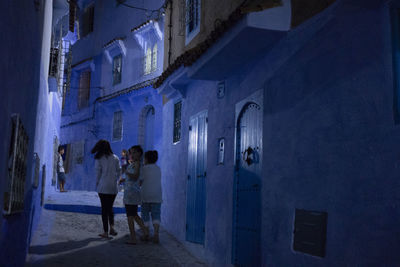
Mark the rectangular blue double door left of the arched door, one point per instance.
(196, 187)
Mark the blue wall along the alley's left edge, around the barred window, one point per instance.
(25, 91)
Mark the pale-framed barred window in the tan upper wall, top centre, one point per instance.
(192, 19)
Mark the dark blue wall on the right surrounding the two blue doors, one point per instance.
(330, 142)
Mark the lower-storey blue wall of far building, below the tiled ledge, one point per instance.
(82, 176)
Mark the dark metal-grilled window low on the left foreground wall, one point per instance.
(17, 163)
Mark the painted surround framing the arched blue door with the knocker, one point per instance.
(257, 98)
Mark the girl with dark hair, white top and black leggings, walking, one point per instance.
(108, 171)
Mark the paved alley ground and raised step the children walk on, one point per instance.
(71, 239)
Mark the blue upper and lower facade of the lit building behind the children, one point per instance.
(96, 121)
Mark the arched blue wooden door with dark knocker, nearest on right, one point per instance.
(247, 186)
